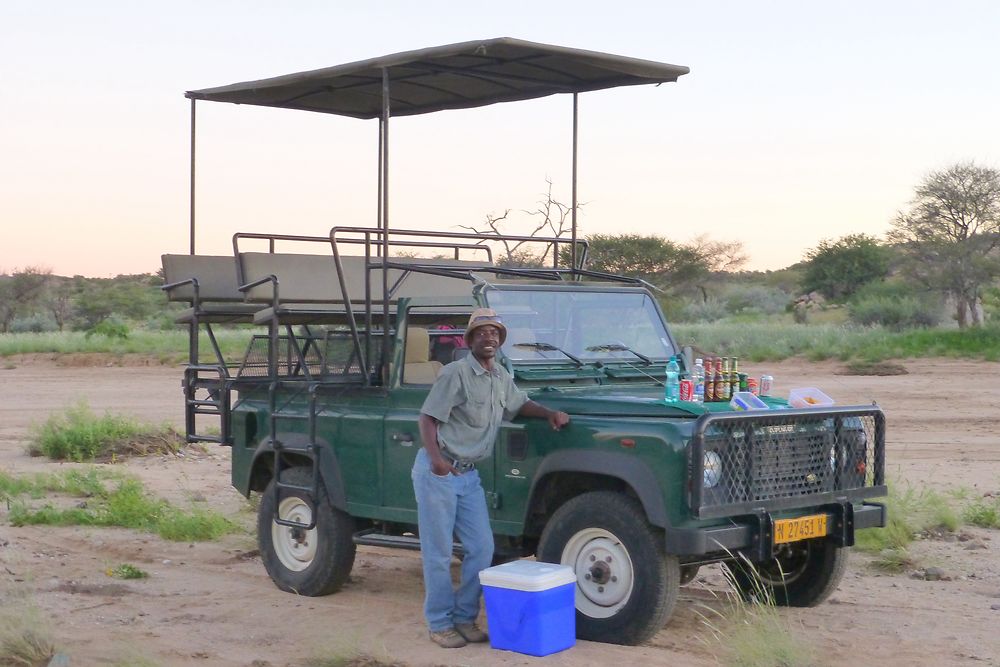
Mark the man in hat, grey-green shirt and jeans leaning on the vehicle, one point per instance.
(459, 422)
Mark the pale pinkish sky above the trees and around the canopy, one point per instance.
(800, 121)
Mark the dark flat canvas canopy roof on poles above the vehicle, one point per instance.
(455, 76)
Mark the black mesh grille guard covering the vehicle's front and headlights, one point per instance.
(783, 459)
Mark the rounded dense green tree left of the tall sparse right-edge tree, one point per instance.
(837, 269)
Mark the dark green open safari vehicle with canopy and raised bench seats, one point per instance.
(352, 328)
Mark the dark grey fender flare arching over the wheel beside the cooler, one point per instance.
(630, 470)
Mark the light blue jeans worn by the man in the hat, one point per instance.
(449, 506)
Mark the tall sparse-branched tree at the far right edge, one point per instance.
(950, 234)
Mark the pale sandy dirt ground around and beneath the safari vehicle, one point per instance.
(213, 604)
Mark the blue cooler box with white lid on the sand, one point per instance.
(530, 606)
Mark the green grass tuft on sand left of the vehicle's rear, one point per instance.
(80, 435)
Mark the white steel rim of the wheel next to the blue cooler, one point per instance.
(604, 572)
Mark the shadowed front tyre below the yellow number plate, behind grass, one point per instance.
(803, 574)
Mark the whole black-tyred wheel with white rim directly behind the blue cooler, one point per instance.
(626, 584)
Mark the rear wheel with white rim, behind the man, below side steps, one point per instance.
(313, 562)
